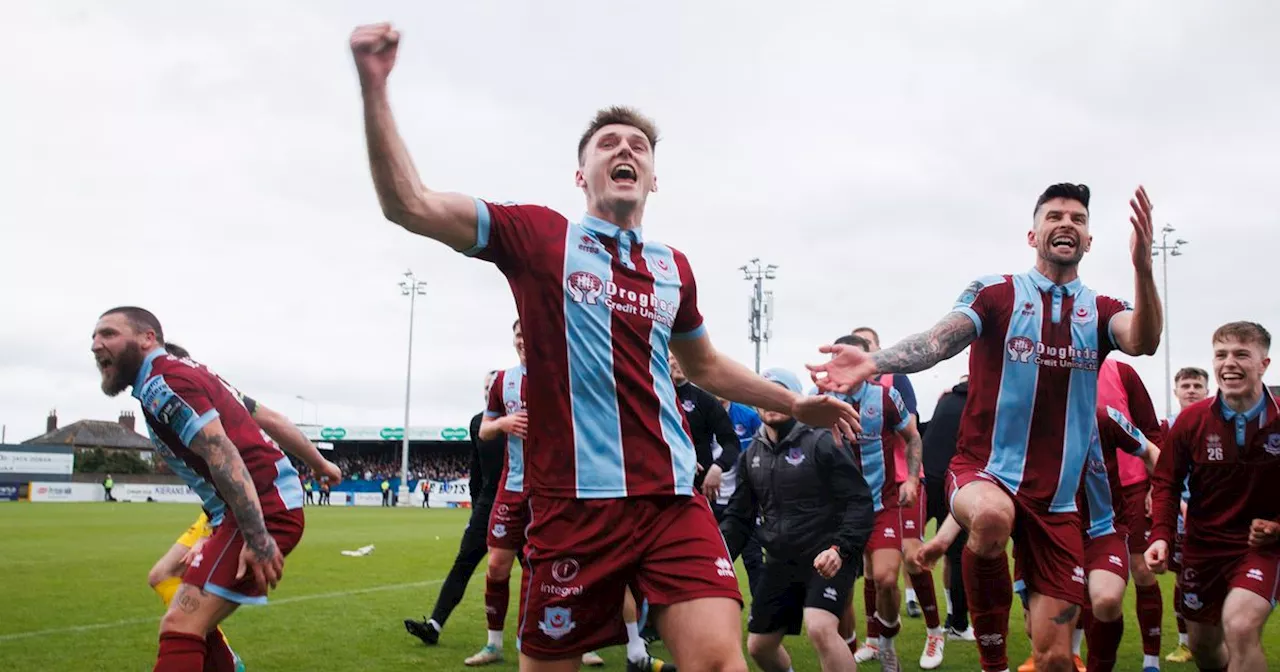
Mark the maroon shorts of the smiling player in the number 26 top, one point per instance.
(1206, 579)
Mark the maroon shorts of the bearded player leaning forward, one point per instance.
(216, 566)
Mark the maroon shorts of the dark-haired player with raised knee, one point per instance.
(1049, 548)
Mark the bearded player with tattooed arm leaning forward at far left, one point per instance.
(202, 422)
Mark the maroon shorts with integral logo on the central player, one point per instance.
(583, 554)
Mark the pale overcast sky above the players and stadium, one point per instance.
(209, 164)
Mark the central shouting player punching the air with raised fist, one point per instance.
(610, 463)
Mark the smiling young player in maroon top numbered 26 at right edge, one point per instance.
(1231, 447)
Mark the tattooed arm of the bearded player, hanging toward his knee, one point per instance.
(236, 487)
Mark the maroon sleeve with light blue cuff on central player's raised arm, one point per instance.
(509, 235)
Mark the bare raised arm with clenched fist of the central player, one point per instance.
(450, 218)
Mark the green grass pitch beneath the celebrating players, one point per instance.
(74, 596)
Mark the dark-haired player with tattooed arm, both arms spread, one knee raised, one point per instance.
(1039, 339)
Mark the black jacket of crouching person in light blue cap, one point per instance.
(810, 493)
